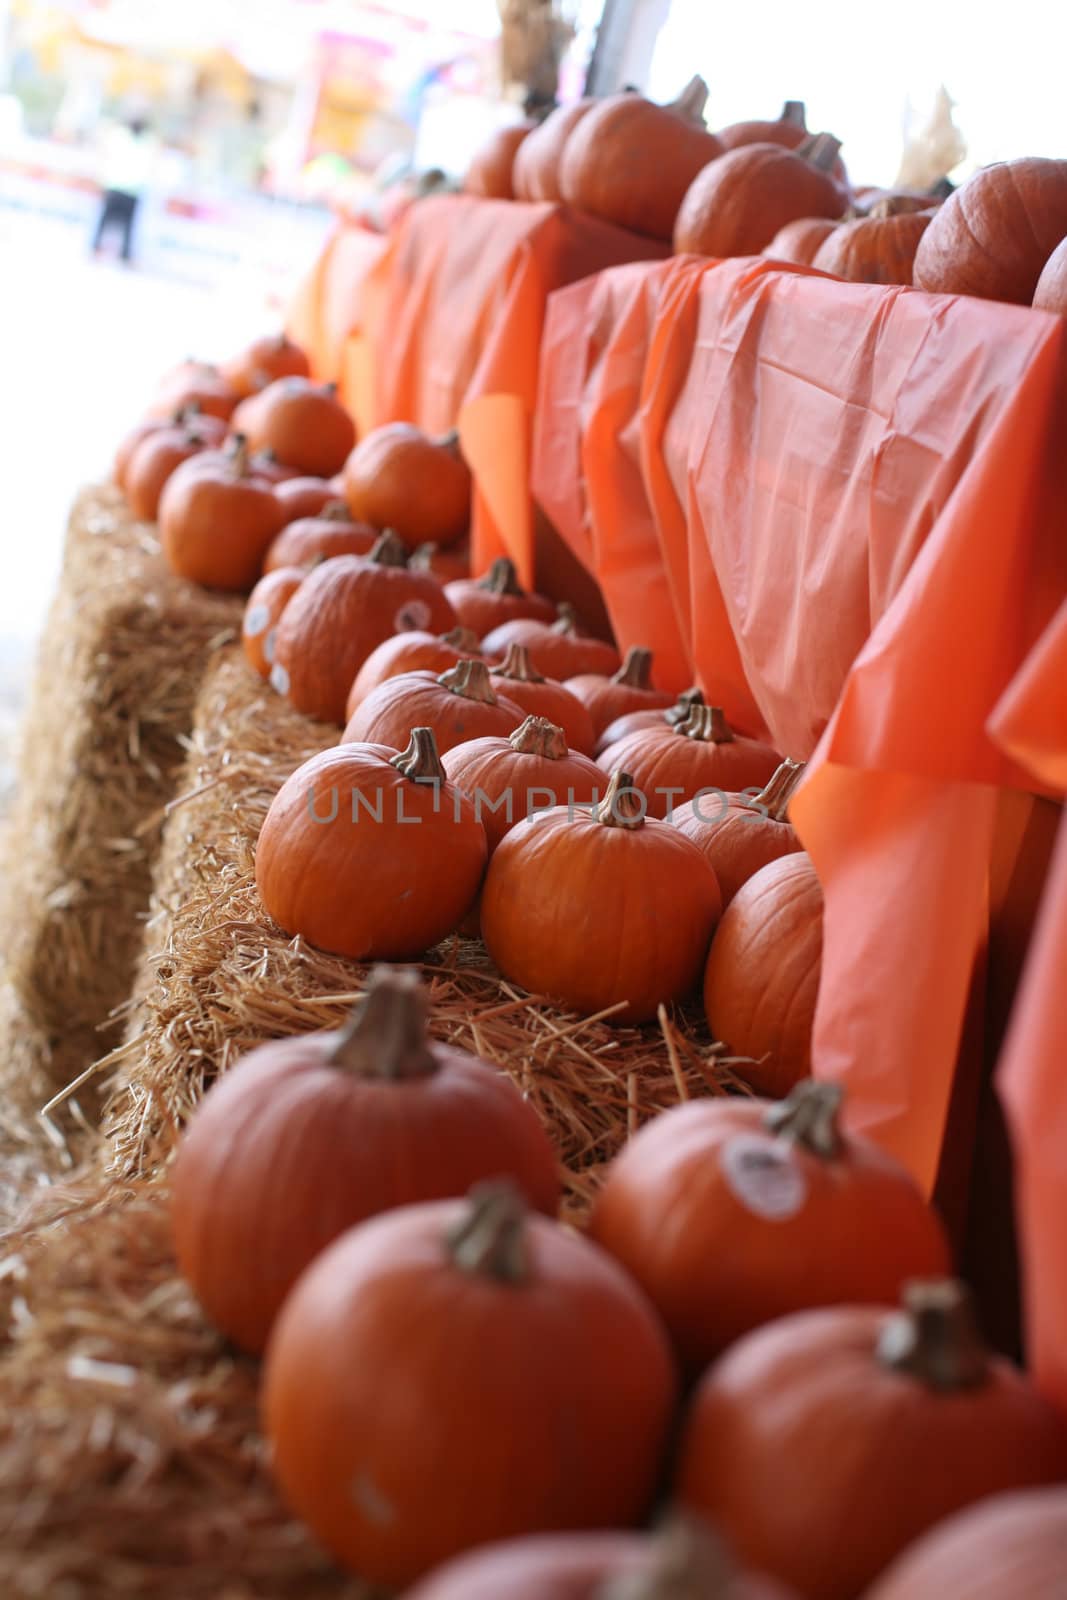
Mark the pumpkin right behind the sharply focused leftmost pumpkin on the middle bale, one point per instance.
(458, 705)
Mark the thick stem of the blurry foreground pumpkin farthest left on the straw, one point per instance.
(386, 1034)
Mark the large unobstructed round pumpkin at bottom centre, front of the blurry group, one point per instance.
(452, 1374)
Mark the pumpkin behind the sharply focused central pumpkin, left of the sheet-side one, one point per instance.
(676, 762)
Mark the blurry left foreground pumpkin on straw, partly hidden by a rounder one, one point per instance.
(308, 1137)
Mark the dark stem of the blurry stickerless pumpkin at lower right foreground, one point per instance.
(935, 1337)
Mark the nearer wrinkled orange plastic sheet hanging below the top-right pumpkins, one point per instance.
(858, 513)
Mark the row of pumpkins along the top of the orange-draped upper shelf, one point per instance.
(773, 190)
